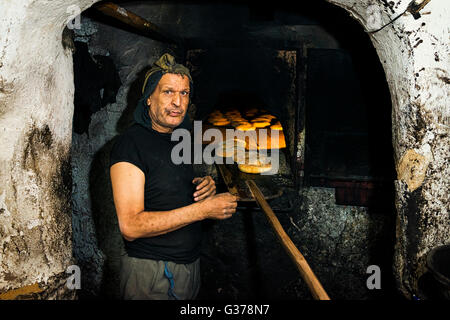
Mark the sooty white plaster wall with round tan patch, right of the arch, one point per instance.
(415, 57)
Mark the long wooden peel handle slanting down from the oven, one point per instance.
(307, 274)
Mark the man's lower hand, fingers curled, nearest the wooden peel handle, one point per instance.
(220, 206)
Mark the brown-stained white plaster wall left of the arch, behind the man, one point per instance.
(36, 108)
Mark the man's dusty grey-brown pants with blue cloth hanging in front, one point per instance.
(145, 279)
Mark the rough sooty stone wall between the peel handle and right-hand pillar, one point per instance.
(340, 243)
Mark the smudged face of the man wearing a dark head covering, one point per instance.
(169, 102)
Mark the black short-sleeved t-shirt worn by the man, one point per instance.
(167, 186)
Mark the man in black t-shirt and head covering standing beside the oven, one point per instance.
(159, 204)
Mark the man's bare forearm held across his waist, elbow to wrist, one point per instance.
(153, 223)
